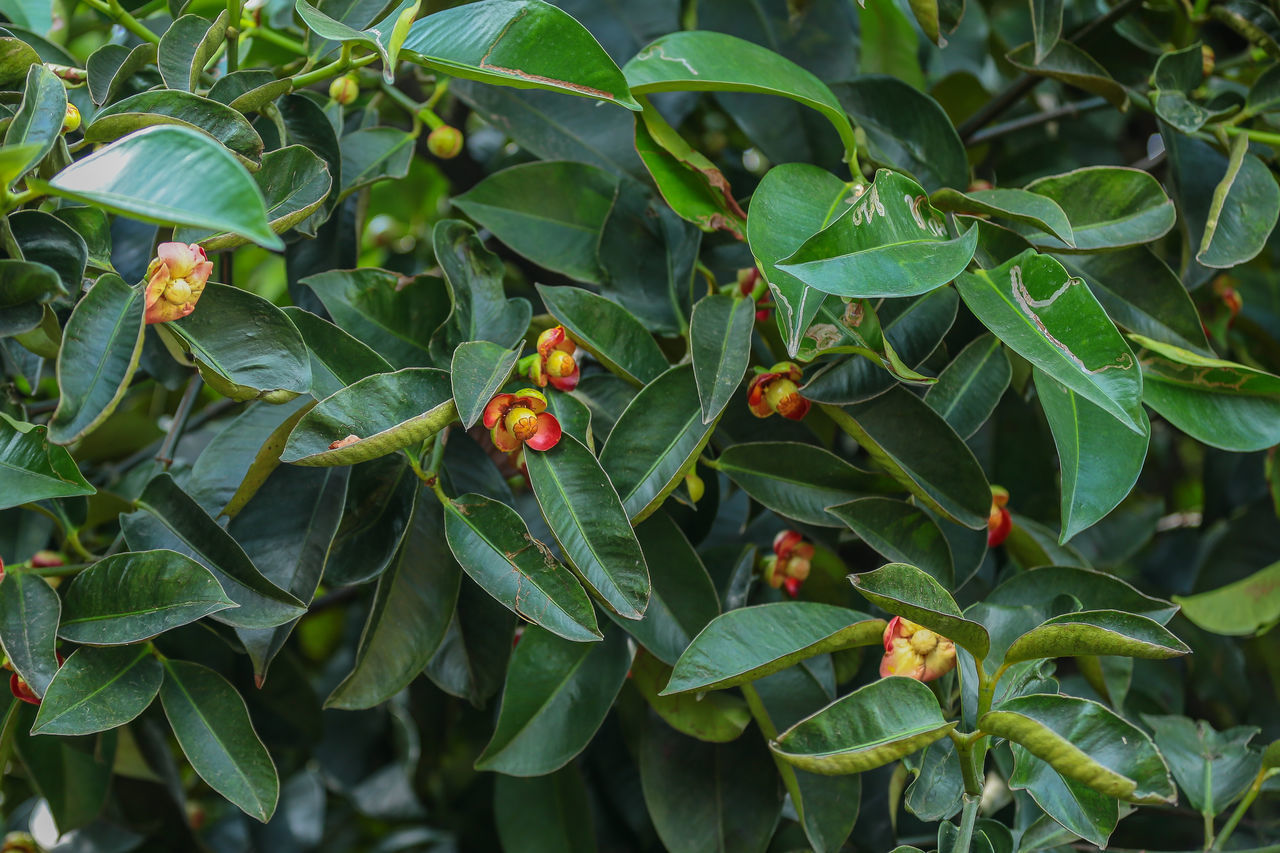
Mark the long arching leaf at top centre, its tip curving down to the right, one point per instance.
(705, 61)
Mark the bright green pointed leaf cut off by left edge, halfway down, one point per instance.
(31, 469)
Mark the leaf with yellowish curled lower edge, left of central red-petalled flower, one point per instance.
(387, 412)
